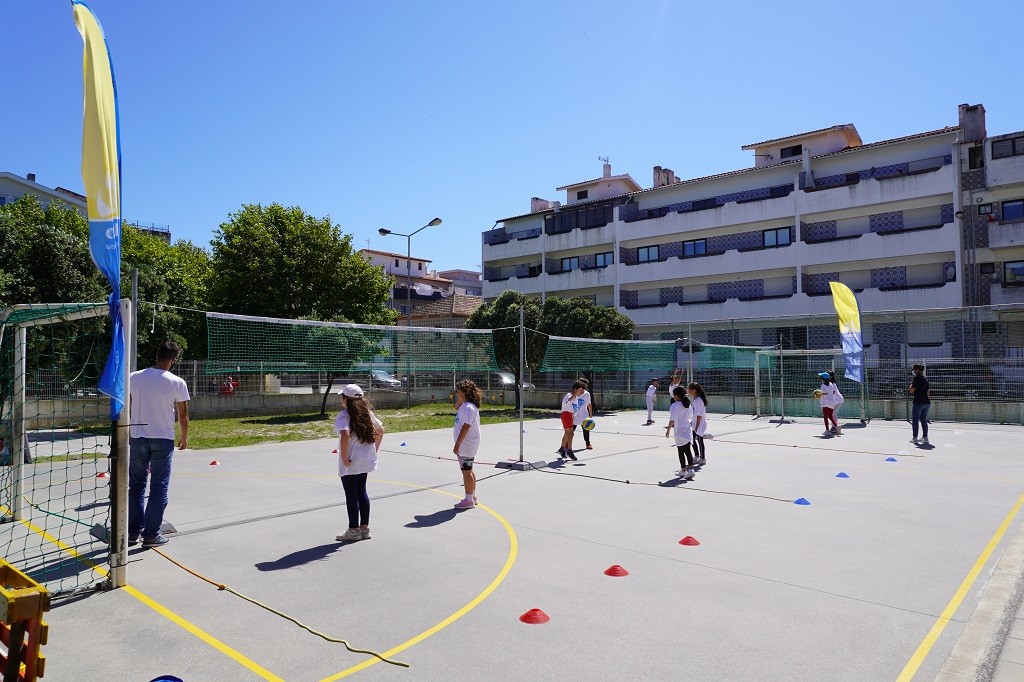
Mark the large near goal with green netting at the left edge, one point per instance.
(54, 443)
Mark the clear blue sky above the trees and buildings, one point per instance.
(389, 114)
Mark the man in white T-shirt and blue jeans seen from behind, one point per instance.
(156, 395)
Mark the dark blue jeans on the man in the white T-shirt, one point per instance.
(151, 458)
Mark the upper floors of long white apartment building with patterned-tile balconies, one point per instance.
(929, 221)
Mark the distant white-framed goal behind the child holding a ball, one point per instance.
(786, 380)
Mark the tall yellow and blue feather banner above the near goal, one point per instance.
(102, 175)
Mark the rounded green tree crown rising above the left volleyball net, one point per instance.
(281, 263)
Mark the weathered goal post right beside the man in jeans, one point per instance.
(119, 483)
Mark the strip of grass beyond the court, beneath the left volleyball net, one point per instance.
(235, 432)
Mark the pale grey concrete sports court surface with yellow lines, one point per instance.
(843, 589)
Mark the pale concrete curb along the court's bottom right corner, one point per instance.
(976, 654)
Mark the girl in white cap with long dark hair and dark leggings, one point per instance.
(360, 436)
